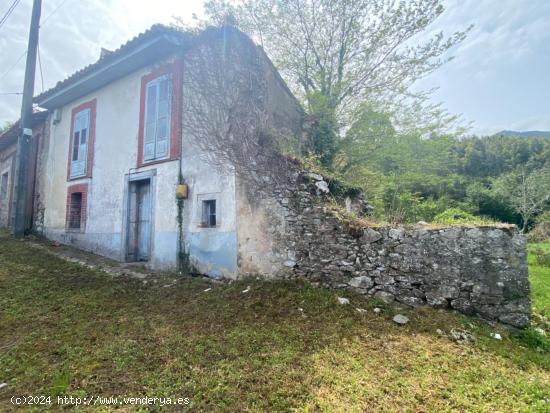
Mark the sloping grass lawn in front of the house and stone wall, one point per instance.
(282, 346)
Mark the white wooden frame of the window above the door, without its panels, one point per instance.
(155, 156)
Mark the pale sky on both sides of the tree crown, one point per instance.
(499, 78)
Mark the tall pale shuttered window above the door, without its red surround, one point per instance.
(156, 134)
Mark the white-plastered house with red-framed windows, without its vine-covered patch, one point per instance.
(116, 150)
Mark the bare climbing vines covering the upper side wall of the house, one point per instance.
(226, 109)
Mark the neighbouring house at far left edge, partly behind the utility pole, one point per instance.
(8, 147)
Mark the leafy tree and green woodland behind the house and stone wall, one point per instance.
(352, 64)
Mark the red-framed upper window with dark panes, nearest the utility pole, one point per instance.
(81, 146)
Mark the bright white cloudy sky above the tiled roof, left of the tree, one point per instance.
(73, 36)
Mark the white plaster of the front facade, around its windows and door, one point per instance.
(115, 156)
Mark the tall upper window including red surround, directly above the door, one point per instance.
(159, 137)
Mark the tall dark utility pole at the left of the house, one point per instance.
(25, 132)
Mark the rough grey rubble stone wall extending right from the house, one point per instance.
(477, 270)
